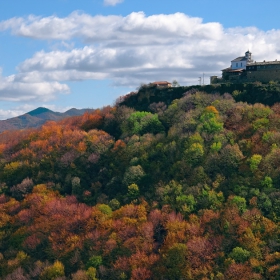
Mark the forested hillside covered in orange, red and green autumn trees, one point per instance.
(160, 186)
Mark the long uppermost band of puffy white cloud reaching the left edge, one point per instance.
(135, 28)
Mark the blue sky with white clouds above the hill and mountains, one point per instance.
(62, 54)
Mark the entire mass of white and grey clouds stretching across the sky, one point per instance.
(128, 50)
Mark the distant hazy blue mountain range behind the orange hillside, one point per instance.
(38, 117)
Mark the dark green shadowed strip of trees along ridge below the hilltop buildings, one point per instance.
(149, 95)
